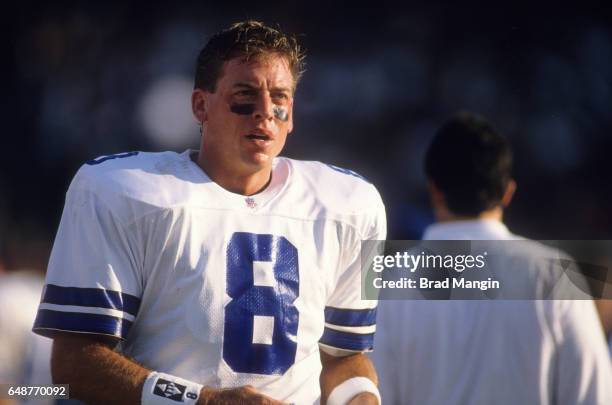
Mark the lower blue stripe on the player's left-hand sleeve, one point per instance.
(80, 322)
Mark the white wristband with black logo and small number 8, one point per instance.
(166, 389)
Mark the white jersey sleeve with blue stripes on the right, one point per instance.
(350, 322)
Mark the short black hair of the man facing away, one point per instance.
(470, 163)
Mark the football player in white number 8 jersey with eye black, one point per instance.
(218, 276)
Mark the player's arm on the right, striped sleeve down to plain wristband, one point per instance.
(348, 377)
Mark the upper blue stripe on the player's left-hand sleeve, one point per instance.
(91, 297)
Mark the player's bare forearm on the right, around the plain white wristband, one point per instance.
(340, 369)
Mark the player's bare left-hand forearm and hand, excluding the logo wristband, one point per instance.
(97, 374)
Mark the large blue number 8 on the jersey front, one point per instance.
(261, 321)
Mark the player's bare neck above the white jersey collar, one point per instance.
(247, 183)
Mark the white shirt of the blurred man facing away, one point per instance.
(490, 352)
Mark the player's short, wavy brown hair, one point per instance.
(249, 39)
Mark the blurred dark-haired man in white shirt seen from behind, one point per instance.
(493, 352)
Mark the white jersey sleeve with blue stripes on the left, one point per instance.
(92, 284)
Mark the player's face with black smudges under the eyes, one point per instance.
(247, 119)
